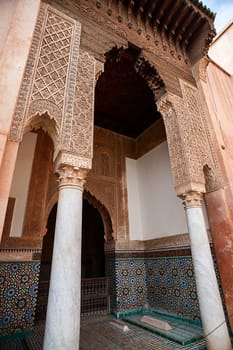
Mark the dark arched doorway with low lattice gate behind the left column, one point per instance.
(93, 262)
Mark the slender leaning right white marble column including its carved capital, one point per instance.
(211, 309)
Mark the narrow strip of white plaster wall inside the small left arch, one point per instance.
(21, 180)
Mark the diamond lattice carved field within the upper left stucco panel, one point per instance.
(51, 72)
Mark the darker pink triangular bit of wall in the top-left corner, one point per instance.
(7, 9)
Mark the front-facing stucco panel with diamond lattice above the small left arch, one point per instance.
(48, 84)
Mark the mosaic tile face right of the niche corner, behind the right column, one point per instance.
(171, 286)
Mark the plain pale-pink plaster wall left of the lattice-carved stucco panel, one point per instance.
(13, 56)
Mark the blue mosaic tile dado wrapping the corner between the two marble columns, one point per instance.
(166, 284)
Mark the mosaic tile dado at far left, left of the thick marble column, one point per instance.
(18, 294)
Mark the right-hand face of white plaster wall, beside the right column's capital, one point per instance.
(162, 212)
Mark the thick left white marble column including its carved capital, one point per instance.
(63, 313)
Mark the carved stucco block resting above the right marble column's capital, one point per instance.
(189, 154)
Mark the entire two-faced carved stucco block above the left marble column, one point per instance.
(58, 86)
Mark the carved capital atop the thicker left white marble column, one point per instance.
(69, 175)
